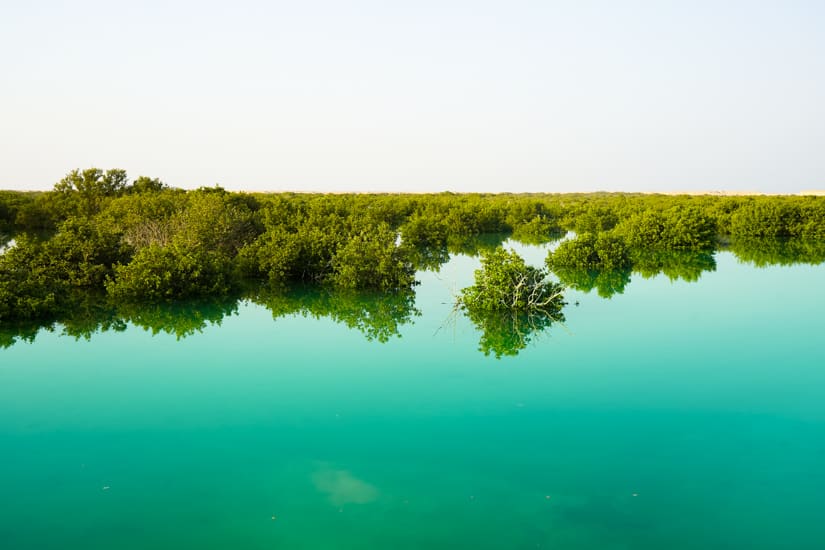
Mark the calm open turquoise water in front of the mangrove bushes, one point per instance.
(674, 415)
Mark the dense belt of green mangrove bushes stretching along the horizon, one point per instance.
(101, 246)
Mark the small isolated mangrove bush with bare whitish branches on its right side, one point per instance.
(506, 283)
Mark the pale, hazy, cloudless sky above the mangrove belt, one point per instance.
(515, 96)
